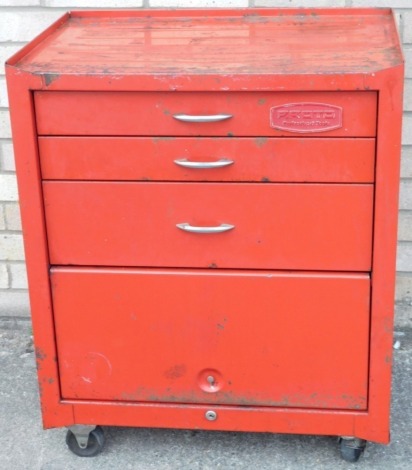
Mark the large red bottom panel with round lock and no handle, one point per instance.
(224, 337)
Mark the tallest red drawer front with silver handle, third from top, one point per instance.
(279, 226)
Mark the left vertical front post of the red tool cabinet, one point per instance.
(31, 204)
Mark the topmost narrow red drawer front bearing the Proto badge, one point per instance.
(149, 113)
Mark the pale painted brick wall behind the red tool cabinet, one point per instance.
(21, 20)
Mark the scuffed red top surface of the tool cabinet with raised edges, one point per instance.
(226, 42)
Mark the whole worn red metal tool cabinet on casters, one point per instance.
(209, 203)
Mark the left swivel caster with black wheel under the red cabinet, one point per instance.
(85, 441)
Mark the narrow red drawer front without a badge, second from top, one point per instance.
(208, 159)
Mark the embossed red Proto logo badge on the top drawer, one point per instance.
(306, 117)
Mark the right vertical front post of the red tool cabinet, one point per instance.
(376, 425)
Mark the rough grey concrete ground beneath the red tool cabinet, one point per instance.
(25, 446)
